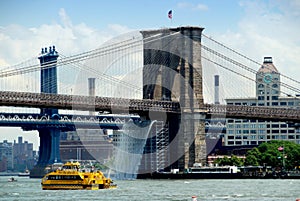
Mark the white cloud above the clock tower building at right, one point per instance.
(269, 29)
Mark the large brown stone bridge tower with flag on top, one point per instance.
(172, 71)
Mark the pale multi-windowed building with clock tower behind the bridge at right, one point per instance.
(241, 132)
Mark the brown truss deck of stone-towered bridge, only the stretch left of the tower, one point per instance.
(84, 103)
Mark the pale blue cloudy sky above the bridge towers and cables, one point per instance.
(255, 28)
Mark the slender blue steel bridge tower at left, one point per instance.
(49, 136)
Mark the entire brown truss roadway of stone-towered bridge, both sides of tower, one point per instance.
(135, 106)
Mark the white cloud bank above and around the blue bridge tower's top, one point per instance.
(18, 43)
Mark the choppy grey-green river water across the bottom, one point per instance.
(218, 190)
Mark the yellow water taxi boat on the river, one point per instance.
(71, 177)
